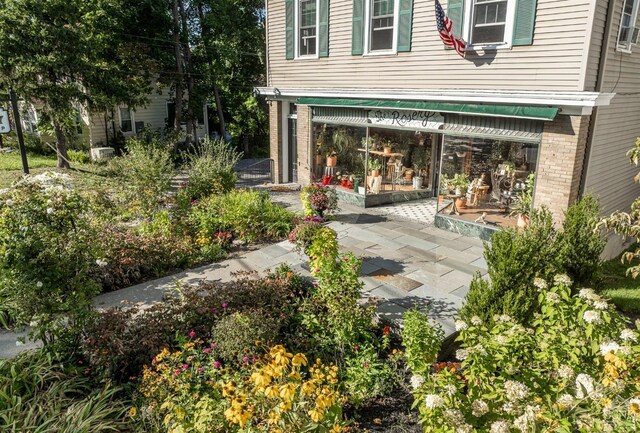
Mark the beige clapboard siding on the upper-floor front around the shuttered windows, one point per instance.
(553, 62)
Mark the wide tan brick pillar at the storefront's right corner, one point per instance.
(560, 164)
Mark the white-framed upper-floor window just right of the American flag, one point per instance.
(489, 23)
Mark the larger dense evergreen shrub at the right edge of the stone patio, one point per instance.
(514, 259)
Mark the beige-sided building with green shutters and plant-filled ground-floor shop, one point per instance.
(548, 87)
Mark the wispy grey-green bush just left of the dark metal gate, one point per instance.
(211, 169)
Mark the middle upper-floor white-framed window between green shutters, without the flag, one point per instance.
(381, 22)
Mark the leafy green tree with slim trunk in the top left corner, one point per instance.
(65, 53)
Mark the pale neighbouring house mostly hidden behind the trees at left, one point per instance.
(98, 129)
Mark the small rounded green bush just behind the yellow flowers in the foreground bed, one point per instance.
(239, 336)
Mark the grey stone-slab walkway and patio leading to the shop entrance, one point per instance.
(407, 262)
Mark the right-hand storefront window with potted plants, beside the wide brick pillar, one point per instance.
(485, 180)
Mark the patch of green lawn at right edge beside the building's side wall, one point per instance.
(622, 289)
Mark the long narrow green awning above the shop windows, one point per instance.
(518, 111)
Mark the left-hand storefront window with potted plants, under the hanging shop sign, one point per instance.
(379, 160)
